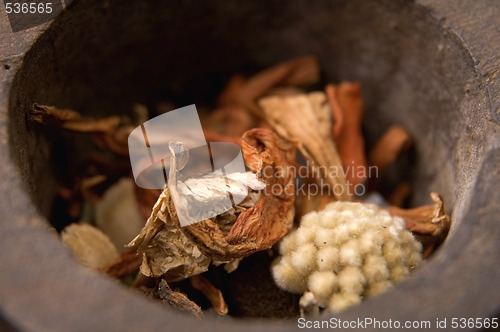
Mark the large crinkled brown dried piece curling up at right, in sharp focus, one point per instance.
(255, 224)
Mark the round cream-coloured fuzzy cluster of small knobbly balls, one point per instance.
(345, 252)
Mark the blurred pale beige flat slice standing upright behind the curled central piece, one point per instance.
(117, 213)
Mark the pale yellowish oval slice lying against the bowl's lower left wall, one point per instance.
(89, 245)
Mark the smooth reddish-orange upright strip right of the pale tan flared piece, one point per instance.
(346, 104)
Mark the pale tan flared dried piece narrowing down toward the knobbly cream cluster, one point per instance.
(304, 120)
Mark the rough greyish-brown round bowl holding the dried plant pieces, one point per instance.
(429, 65)
